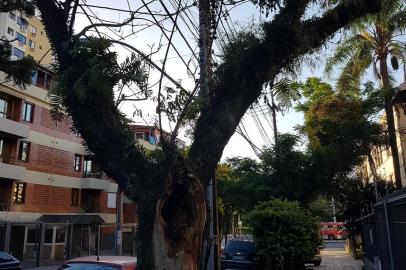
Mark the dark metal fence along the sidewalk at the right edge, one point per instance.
(384, 234)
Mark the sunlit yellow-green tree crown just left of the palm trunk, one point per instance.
(340, 126)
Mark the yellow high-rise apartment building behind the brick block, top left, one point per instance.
(28, 36)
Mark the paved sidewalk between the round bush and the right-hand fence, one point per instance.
(338, 259)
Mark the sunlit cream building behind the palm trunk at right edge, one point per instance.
(382, 155)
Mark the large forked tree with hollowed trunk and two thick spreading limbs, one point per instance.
(169, 188)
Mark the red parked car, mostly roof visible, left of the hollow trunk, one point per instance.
(101, 263)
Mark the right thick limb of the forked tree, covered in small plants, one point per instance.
(238, 81)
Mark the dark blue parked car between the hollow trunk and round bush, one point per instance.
(239, 254)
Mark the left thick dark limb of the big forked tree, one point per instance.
(92, 112)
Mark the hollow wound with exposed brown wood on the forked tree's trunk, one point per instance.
(178, 226)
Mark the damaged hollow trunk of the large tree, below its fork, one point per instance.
(171, 231)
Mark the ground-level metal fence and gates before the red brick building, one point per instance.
(39, 243)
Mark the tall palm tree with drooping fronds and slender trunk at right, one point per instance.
(372, 42)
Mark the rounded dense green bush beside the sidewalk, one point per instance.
(286, 236)
